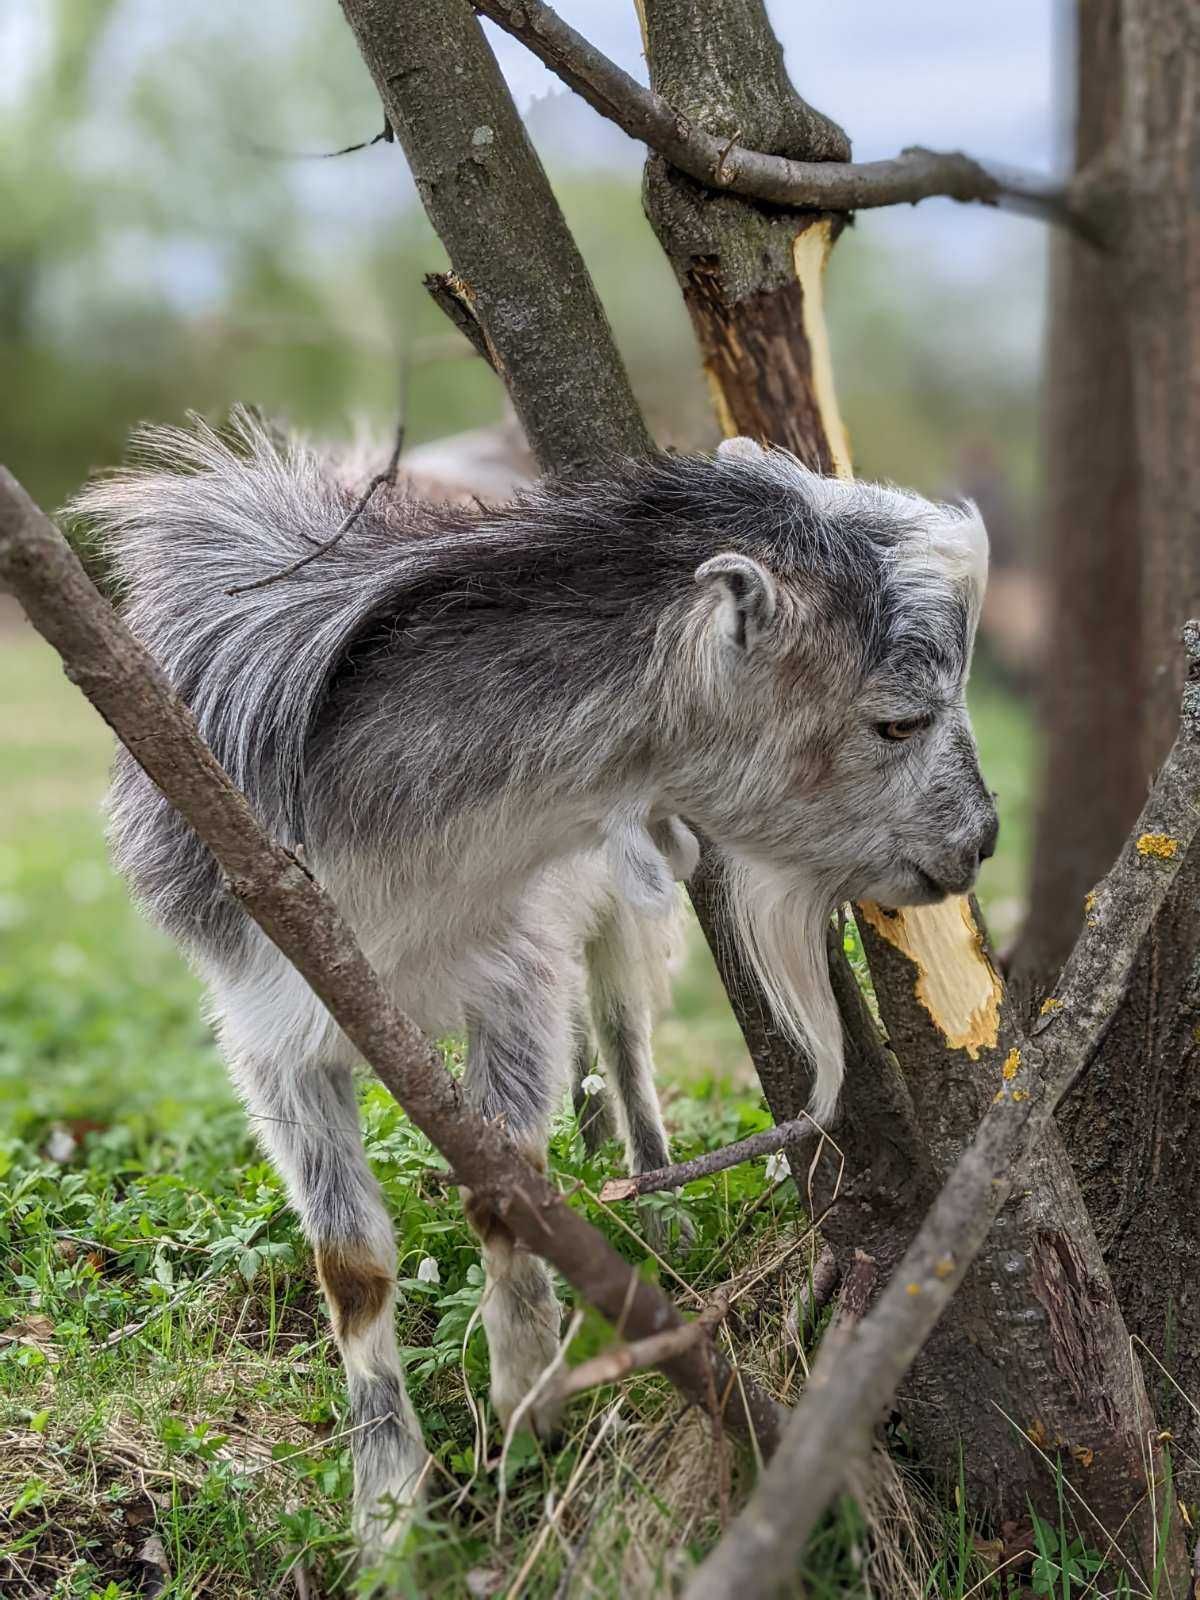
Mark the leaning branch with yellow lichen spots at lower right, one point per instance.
(850, 1386)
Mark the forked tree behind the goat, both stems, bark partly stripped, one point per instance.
(753, 282)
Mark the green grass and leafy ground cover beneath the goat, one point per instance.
(166, 1362)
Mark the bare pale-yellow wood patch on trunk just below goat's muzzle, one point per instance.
(954, 982)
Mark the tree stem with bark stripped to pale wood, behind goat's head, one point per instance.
(1033, 1346)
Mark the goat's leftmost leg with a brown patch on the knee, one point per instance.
(306, 1118)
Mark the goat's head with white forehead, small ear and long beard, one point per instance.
(823, 660)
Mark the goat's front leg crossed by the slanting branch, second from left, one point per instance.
(516, 1065)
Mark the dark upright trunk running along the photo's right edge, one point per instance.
(1134, 1124)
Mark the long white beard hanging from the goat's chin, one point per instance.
(782, 921)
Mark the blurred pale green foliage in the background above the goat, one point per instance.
(166, 247)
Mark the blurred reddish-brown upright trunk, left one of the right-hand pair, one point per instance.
(1092, 705)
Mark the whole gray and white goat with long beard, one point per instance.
(484, 730)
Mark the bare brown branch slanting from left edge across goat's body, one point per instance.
(132, 694)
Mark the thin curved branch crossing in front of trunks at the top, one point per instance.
(719, 164)
